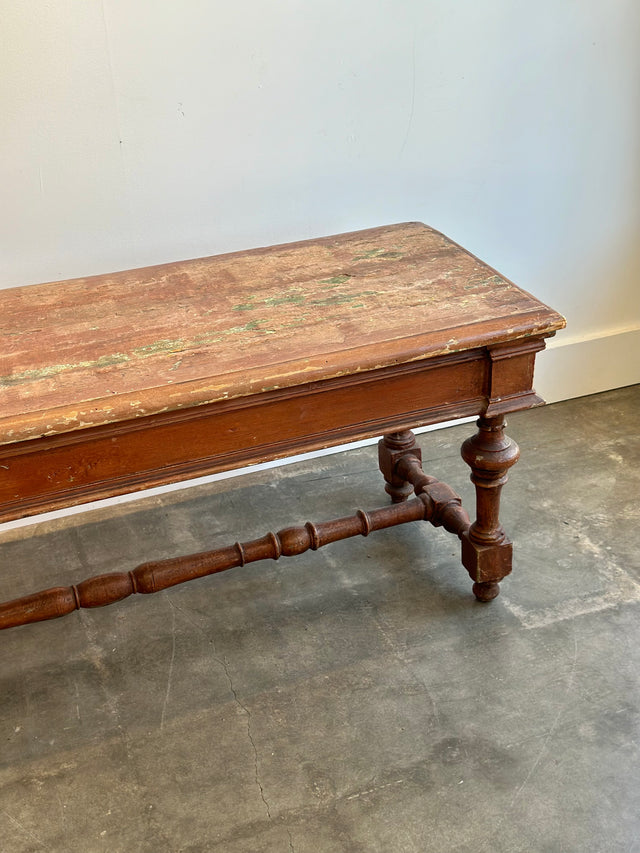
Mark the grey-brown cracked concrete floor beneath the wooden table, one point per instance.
(352, 700)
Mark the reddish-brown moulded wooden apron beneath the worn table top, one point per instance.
(93, 463)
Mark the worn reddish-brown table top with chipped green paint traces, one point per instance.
(113, 347)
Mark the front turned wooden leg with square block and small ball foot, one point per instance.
(486, 551)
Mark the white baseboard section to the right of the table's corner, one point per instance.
(576, 368)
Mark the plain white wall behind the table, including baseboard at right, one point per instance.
(139, 131)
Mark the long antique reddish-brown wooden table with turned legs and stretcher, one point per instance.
(135, 379)
